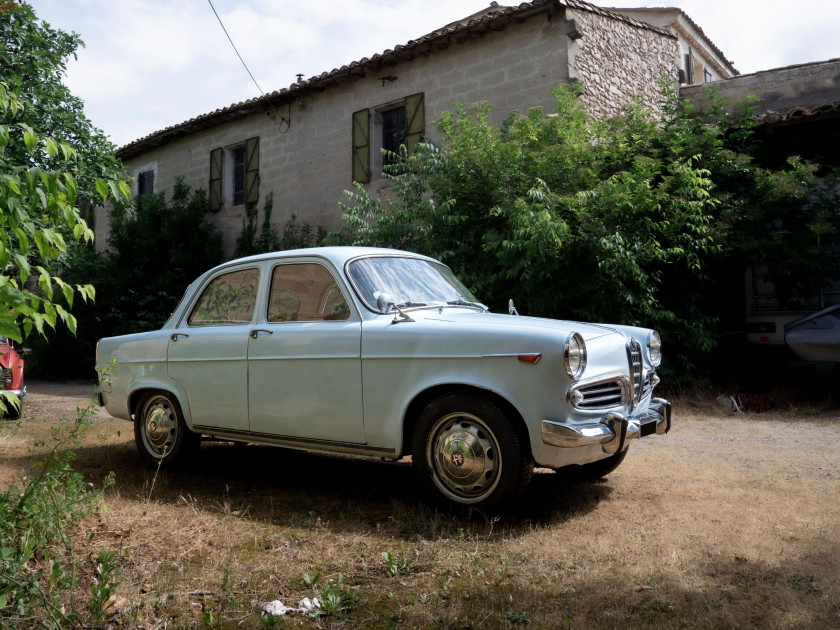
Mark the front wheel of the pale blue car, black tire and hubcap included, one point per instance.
(466, 451)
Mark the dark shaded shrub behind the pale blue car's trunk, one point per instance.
(156, 248)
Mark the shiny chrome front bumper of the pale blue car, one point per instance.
(613, 431)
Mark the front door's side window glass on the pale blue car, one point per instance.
(305, 292)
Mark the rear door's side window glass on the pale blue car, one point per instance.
(228, 300)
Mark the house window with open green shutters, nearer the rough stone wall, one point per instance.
(387, 127)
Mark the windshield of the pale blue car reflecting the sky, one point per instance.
(409, 282)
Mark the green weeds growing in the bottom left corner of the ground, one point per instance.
(38, 564)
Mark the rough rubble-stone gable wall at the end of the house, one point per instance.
(616, 60)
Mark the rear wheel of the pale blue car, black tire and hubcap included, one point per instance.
(160, 433)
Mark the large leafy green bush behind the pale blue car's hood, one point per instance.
(627, 220)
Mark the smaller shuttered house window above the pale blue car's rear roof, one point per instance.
(234, 174)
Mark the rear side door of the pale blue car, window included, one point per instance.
(208, 352)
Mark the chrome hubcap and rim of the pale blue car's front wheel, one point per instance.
(464, 458)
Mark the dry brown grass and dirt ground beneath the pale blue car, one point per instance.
(728, 522)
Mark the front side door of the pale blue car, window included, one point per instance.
(304, 361)
